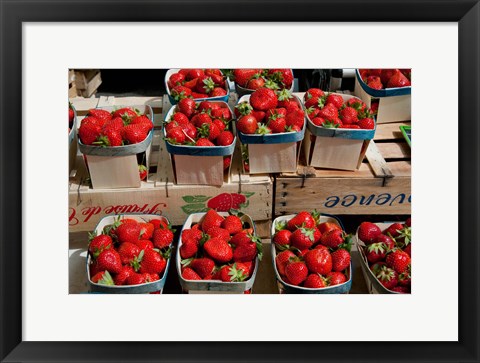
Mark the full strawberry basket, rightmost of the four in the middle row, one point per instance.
(339, 129)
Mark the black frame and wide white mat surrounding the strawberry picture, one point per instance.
(41, 321)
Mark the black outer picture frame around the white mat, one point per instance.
(13, 13)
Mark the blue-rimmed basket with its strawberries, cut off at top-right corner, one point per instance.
(386, 91)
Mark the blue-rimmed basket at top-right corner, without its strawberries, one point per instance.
(394, 104)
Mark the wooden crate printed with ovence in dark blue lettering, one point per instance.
(382, 185)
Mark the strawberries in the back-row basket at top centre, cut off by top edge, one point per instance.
(253, 79)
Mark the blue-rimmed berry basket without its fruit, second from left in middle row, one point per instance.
(199, 165)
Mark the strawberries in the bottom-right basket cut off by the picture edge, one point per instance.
(389, 253)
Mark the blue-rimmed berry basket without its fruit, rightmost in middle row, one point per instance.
(334, 148)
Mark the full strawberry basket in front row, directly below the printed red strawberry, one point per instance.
(218, 253)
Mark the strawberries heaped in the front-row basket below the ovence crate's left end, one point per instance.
(311, 254)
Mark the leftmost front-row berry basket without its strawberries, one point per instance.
(150, 287)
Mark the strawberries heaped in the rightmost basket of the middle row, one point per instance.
(328, 110)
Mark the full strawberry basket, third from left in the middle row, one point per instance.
(270, 125)
